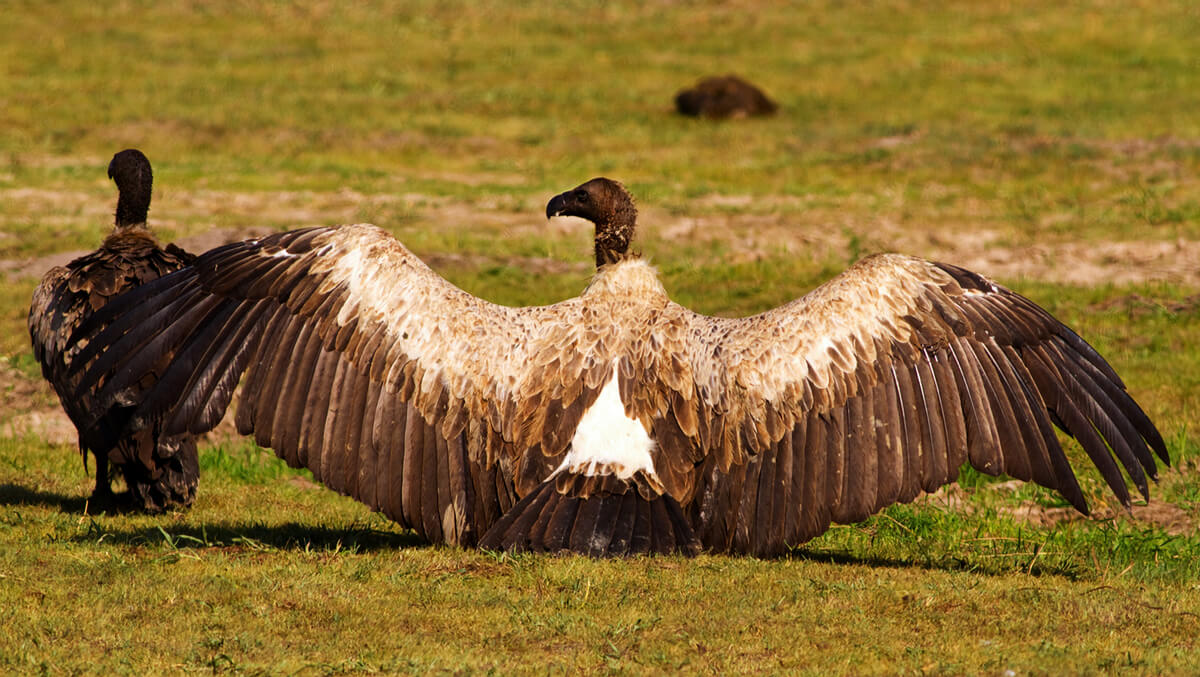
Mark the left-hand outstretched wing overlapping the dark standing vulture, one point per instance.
(362, 364)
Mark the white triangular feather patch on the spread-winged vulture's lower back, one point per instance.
(608, 441)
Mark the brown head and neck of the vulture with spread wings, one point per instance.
(608, 205)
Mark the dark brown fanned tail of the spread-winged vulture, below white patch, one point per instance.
(597, 517)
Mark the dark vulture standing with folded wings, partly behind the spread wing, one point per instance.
(161, 472)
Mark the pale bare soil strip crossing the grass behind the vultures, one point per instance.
(797, 229)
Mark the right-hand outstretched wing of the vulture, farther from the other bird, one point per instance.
(871, 390)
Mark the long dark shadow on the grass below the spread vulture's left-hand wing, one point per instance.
(292, 536)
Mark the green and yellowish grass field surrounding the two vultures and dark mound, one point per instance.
(1053, 147)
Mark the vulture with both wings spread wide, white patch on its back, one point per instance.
(617, 422)
